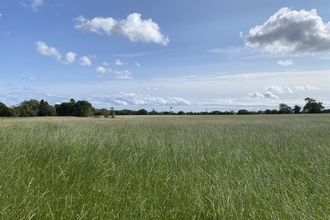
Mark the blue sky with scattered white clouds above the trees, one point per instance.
(191, 55)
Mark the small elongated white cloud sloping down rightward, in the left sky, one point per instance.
(45, 50)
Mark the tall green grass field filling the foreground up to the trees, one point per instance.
(173, 167)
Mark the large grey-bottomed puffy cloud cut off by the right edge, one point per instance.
(293, 32)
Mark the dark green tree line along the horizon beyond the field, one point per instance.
(33, 108)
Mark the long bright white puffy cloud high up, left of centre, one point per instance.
(132, 27)
